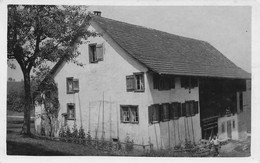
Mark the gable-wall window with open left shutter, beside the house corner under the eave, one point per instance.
(135, 82)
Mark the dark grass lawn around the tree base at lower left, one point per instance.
(19, 145)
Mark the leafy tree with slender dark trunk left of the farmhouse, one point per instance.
(41, 33)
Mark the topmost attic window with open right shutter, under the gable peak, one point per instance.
(96, 53)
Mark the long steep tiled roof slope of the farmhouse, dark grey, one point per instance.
(166, 53)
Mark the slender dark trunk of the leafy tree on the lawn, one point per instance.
(28, 104)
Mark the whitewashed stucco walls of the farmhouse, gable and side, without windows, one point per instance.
(102, 89)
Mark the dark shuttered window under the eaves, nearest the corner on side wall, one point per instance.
(163, 82)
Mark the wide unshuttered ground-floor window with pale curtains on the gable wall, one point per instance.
(129, 114)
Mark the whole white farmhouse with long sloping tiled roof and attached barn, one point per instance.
(151, 86)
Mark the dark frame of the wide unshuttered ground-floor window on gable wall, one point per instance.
(130, 109)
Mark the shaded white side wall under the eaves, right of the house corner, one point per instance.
(173, 132)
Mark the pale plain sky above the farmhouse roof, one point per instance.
(227, 28)
